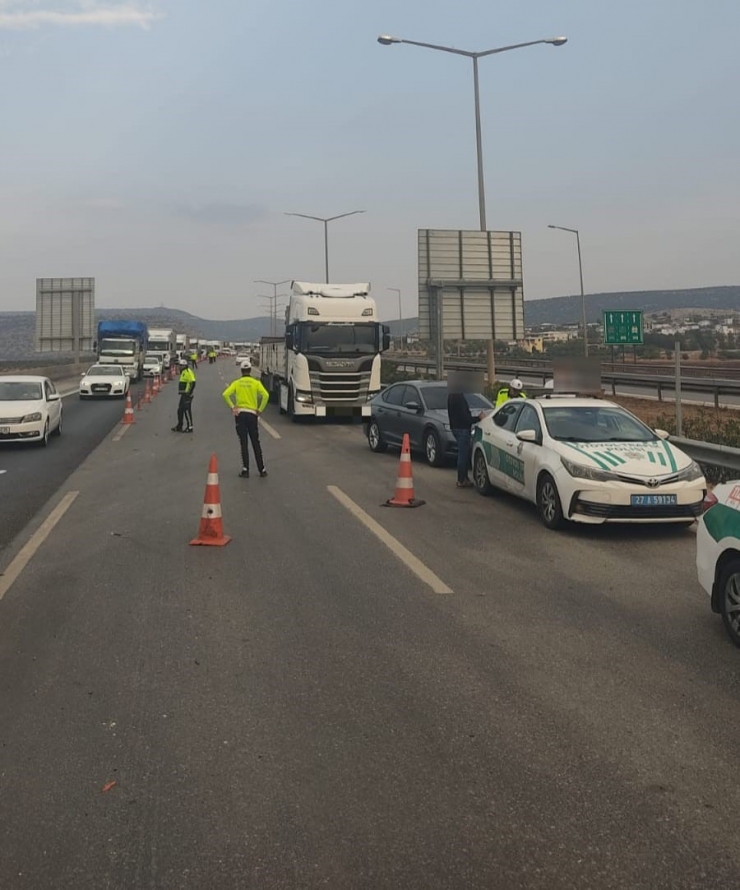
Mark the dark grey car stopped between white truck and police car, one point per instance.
(419, 408)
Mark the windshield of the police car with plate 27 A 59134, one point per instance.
(595, 423)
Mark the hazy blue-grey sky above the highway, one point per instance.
(157, 145)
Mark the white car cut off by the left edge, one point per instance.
(30, 409)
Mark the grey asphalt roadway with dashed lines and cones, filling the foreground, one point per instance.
(307, 708)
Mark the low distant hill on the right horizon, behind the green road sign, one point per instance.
(565, 310)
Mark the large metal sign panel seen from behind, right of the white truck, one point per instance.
(470, 286)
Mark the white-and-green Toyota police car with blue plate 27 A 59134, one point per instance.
(585, 460)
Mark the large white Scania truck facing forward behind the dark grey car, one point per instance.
(328, 362)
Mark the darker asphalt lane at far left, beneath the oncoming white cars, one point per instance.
(32, 474)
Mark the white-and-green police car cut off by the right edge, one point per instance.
(718, 554)
